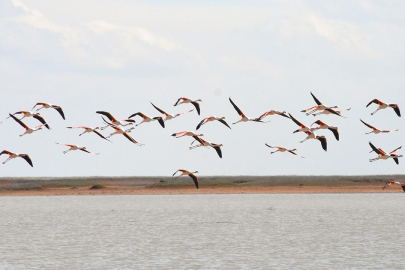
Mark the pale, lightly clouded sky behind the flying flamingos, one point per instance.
(119, 56)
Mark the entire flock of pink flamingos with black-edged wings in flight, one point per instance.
(118, 127)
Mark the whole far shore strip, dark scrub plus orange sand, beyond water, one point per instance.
(184, 185)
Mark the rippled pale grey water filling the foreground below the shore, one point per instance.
(203, 232)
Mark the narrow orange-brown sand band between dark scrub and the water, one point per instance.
(168, 190)
